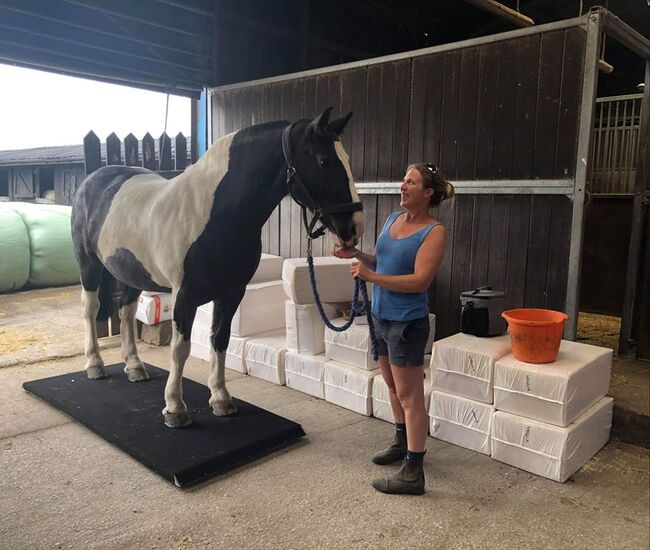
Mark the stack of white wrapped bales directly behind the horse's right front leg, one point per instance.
(257, 329)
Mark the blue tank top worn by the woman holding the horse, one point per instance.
(397, 257)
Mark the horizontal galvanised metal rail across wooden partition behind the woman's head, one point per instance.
(481, 187)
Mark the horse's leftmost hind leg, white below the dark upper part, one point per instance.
(91, 272)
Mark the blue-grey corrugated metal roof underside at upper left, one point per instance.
(164, 45)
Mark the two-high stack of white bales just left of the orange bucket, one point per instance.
(461, 409)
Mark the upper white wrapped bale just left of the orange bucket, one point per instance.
(464, 365)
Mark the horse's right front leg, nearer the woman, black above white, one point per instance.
(224, 310)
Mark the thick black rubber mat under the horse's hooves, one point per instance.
(128, 415)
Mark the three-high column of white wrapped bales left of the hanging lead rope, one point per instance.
(305, 361)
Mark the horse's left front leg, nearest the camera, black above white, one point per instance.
(175, 411)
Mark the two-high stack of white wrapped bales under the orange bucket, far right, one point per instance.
(552, 418)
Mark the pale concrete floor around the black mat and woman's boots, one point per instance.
(64, 487)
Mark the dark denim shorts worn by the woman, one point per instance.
(402, 341)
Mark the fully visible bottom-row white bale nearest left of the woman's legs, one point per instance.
(348, 387)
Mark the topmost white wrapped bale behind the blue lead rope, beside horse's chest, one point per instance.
(333, 280)
